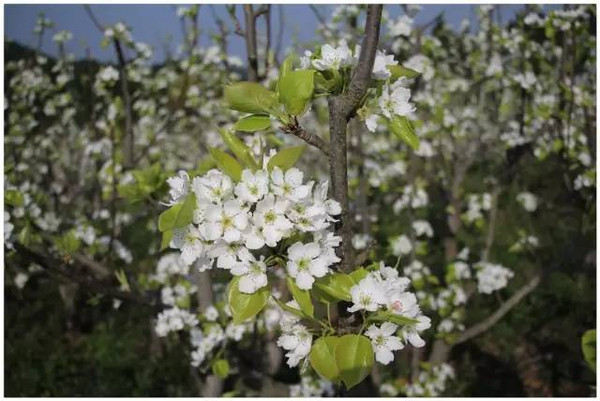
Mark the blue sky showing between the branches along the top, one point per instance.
(153, 23)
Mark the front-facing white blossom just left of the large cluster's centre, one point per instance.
(225, 221)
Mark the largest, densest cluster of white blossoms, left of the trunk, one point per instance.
(233, 219)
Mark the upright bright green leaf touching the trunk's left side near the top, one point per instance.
(295, 90)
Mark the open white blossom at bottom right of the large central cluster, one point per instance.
(305, 263)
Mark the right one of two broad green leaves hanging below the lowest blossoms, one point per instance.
(354, 358)
